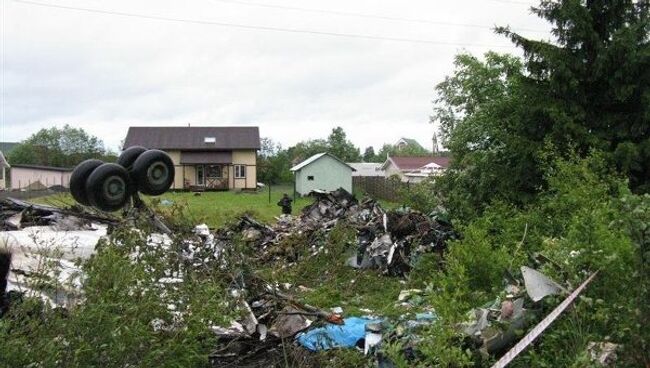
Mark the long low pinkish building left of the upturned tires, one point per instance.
(34, 177)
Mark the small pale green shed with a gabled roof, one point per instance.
(322, 172)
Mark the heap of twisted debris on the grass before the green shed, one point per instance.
(390, 241)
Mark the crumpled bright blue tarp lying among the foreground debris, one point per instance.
(335, 336)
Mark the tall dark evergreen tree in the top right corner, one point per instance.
(591, 88)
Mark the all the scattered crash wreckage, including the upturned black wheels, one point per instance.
(271, 316)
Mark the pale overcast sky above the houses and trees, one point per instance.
(111, 68)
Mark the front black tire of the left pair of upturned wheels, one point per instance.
(109, 187)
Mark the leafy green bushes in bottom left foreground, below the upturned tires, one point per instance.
(124, 301)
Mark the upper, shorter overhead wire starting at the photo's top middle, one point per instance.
(368, 16)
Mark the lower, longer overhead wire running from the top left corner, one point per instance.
(256, 27)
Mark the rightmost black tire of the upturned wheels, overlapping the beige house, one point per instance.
(153, 172)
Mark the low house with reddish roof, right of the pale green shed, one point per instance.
(415, 168)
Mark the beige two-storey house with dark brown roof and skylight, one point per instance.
(210, 158)
